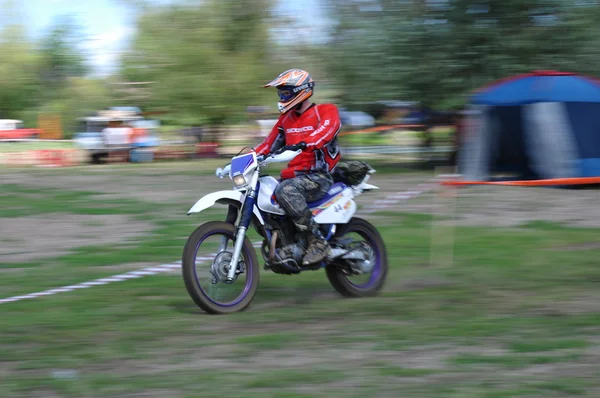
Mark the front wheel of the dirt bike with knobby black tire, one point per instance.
(205, 274)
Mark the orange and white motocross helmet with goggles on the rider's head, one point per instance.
(293, 87)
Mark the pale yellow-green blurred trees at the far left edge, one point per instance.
(47, 79)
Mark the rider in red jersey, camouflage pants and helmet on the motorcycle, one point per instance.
(307, 177)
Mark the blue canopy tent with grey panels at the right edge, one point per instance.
(539, 125)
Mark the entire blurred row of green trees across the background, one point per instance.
(207, 60)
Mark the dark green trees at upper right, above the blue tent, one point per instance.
(431, 51)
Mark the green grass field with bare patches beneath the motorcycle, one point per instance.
(516, 315)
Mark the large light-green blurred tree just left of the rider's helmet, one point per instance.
(206, 61)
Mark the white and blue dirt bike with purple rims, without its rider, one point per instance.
(252, 203)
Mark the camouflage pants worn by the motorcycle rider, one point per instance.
(293, 194)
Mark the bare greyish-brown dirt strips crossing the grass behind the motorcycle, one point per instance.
(38, 236)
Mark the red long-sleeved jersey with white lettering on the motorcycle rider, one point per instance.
(318, 127)
